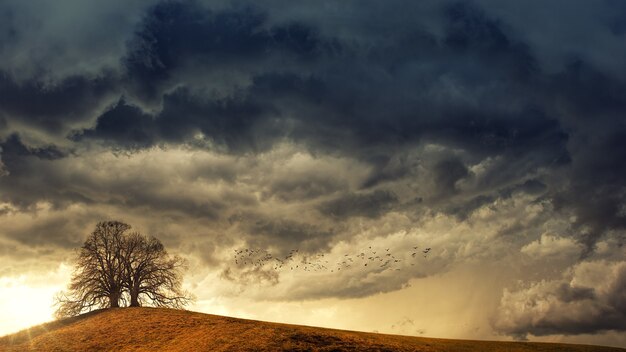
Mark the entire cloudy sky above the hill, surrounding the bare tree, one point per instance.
(492, 132)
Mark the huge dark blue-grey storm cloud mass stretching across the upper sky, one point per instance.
(463, 79)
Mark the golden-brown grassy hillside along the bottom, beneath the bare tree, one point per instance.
(151, 329)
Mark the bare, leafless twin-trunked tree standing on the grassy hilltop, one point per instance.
(113, 266)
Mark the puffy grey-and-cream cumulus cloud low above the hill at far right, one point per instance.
(589, 299)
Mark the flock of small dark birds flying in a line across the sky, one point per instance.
(370, 258)
